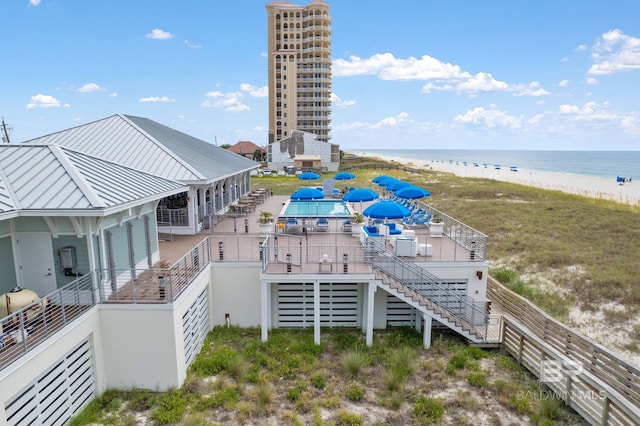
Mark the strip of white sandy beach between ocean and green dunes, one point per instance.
(588, 186)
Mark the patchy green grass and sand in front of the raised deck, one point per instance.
(290, 380)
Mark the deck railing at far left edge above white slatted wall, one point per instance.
(21, 331)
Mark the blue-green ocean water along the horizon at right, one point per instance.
(604, 164)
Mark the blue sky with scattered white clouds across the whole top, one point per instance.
(503, 74)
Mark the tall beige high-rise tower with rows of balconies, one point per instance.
(299, 51)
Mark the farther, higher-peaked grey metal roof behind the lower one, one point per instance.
(151, 147)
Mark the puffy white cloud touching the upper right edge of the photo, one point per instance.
(615, 52)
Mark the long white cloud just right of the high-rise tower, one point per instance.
(440, 76)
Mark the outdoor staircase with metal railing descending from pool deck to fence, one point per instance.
(430, 295)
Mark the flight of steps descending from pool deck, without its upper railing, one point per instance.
(476, 334)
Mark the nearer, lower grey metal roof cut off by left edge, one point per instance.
(52, 180)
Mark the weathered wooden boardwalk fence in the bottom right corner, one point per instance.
(594, 381)
